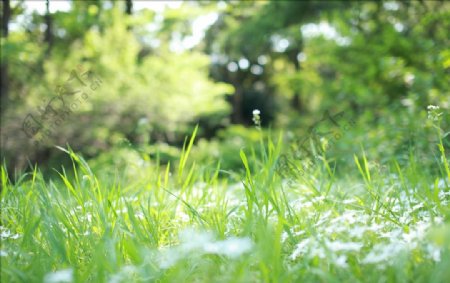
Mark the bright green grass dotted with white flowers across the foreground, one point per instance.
(367, 225)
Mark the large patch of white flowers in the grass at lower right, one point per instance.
(338, 236)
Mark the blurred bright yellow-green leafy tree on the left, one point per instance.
(166, 91)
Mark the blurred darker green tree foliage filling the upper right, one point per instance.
(377, 53)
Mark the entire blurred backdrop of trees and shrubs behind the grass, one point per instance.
(124, 82)
